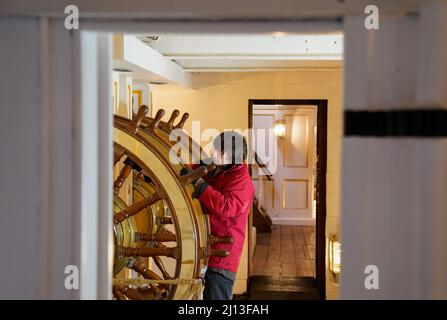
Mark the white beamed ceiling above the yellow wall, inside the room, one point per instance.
(179, 59)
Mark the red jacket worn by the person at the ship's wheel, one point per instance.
(228, 198)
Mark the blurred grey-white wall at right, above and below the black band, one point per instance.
(393, 189)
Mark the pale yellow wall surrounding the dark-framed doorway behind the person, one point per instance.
(220, 101)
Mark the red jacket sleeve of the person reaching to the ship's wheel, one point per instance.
(227, 204)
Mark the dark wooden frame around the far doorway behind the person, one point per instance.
(320, 247)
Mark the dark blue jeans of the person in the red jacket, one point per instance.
(217, 287)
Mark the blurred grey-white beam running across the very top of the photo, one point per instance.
(204, 10)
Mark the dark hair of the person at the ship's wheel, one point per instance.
(232, 143)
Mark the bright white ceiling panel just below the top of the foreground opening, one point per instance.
(278, 46)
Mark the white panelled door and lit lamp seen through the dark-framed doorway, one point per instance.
(289, 196)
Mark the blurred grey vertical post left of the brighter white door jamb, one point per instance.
(62, 156)
